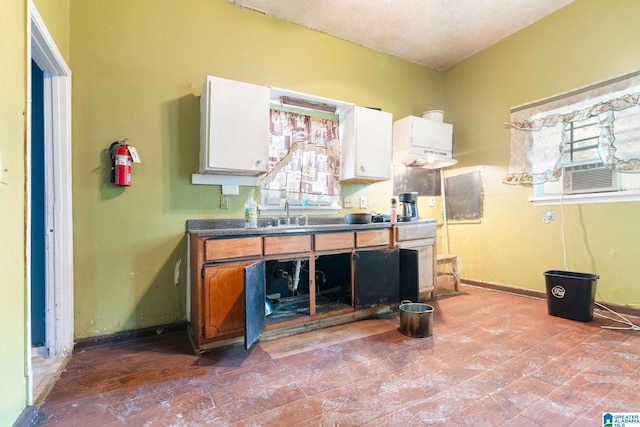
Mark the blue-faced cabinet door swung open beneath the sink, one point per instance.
(254, 301)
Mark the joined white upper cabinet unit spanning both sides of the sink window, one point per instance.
(234, 133)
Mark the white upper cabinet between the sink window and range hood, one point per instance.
(366, 145)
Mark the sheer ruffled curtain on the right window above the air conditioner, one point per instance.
(538, 139)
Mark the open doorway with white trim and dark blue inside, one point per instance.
(49, 211)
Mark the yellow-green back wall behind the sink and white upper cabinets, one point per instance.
(138, 68)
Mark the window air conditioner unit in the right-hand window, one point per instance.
(588, 178)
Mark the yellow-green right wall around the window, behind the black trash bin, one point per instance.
(583, 43)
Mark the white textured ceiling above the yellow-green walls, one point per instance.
(435, 33)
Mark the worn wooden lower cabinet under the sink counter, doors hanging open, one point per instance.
(343, 274)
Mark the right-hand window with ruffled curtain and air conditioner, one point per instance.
(580, 148)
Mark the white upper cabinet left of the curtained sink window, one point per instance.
(234, 130)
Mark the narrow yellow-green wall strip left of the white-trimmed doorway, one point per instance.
(13, 344)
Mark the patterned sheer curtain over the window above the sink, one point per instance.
(304, 160)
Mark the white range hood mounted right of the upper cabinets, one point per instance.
(422, 143)
